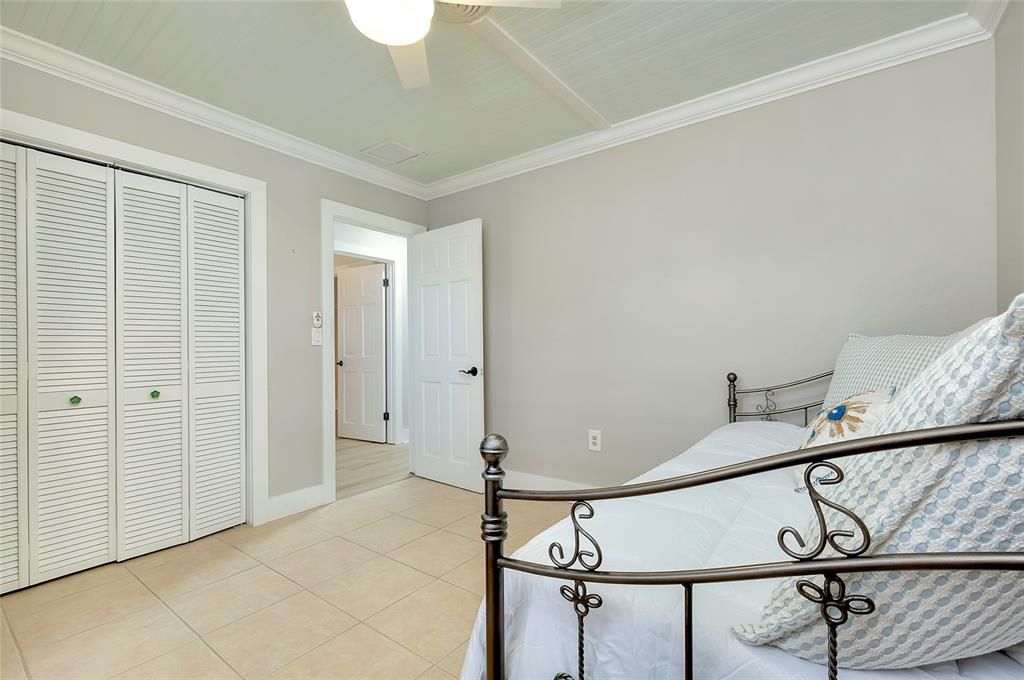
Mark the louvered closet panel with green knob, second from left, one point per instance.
(71, 365)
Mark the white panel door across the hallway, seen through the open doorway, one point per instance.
(362, 374)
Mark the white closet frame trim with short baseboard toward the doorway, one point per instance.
(24, 130)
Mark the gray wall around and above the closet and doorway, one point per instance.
(294, 193)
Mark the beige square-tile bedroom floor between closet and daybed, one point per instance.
(382, 585)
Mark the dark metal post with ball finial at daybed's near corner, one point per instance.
(494, 530)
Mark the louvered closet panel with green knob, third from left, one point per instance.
(152, 365)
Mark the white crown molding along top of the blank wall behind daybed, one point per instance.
(931, 39)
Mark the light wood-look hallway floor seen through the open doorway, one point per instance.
(362, 466)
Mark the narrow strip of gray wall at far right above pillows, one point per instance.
(1010, 154)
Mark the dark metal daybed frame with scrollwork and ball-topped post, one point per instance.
(836, 605)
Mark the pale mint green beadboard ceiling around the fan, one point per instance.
(304, 69)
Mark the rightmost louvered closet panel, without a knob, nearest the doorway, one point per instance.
(217, 342)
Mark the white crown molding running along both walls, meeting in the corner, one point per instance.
(959, 31)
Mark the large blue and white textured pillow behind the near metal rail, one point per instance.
(953, 497)
